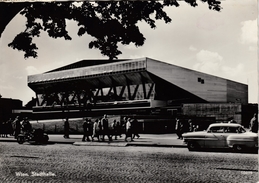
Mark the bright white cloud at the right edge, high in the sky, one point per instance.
(249, 32)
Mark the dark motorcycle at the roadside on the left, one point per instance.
(37, 135)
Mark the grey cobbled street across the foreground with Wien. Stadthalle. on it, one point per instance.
(69, 163)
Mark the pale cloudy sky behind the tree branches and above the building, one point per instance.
(221, 43)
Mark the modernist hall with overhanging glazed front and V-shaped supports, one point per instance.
(128, 87)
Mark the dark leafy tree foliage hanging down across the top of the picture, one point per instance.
(109, 22)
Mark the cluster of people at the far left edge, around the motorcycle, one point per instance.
(15, 127)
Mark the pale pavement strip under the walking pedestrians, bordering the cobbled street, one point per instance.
(152, 140)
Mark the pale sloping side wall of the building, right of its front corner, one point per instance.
(213, 89)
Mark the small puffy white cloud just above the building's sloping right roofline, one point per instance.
(208, 62)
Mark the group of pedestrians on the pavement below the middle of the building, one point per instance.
(101, 128)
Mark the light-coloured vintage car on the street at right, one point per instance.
(222, 135)
